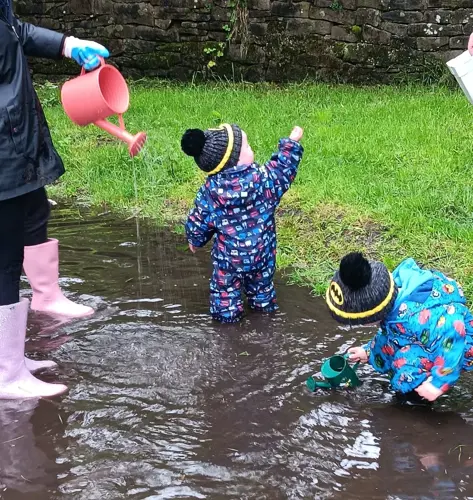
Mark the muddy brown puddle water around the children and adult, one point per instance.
(165, 404)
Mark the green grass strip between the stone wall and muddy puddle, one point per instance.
(386, 170)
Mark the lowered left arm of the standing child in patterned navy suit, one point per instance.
(199, 226)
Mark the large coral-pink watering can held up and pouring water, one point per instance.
(92, 97)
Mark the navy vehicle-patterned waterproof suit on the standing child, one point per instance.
(237, 206)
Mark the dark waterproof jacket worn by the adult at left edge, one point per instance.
(28, 159)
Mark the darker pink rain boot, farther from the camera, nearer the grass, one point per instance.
(41, 264)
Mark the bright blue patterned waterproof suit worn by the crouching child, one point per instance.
(428, 335)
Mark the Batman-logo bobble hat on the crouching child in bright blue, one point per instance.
(361, 291)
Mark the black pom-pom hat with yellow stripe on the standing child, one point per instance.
(214, 149)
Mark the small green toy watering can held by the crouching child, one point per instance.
(336, 371)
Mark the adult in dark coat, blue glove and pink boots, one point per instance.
(28, 162)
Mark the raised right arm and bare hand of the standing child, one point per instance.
(282, 167)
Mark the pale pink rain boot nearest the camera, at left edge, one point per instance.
(16, 382)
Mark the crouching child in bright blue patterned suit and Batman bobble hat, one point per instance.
(425, 336)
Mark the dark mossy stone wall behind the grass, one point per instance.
(276, 40)
